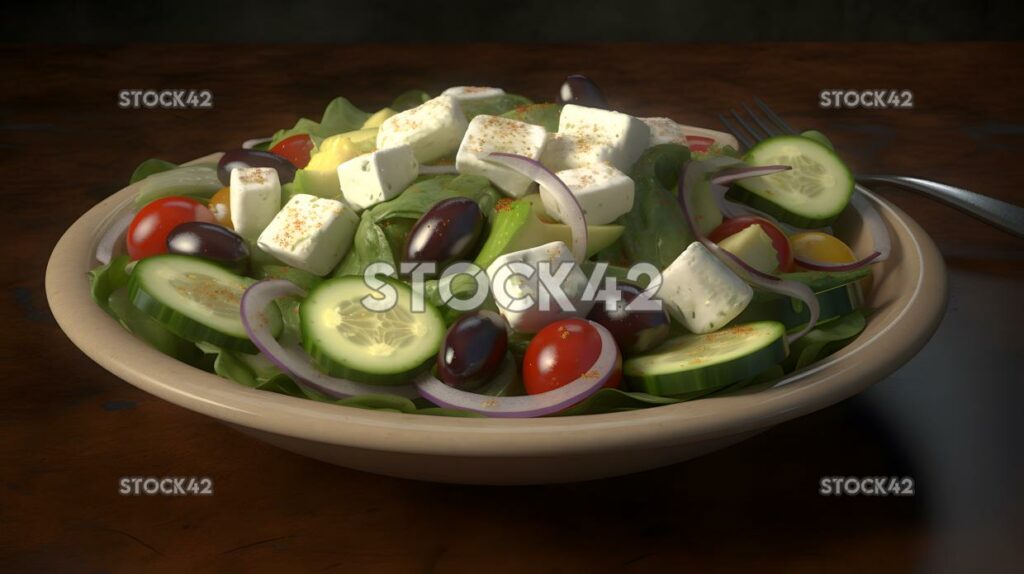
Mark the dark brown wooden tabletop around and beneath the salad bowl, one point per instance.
(951, 419)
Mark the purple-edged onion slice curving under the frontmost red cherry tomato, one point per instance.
(531, 406)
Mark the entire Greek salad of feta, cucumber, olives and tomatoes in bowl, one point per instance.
(477, 254)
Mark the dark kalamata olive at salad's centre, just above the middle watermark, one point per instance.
(448, 233)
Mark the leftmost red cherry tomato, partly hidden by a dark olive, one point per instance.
(148, 233)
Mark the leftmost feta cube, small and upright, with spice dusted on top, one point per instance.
(254, 199)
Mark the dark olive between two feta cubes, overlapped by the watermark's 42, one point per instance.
(635, 331)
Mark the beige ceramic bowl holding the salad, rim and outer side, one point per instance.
(909, 298)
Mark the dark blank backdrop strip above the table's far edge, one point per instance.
(517, 21)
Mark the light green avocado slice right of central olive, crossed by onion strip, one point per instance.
(518, 226)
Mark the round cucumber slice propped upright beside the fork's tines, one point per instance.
(814, 194)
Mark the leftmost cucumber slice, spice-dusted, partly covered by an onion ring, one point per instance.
(196, 300)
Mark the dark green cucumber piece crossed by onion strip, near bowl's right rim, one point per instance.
(833, 303)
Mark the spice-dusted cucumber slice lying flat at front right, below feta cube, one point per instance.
(696, 364)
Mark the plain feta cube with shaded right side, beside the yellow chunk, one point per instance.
(379, 176)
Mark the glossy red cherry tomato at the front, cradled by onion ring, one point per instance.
(561, 354)
